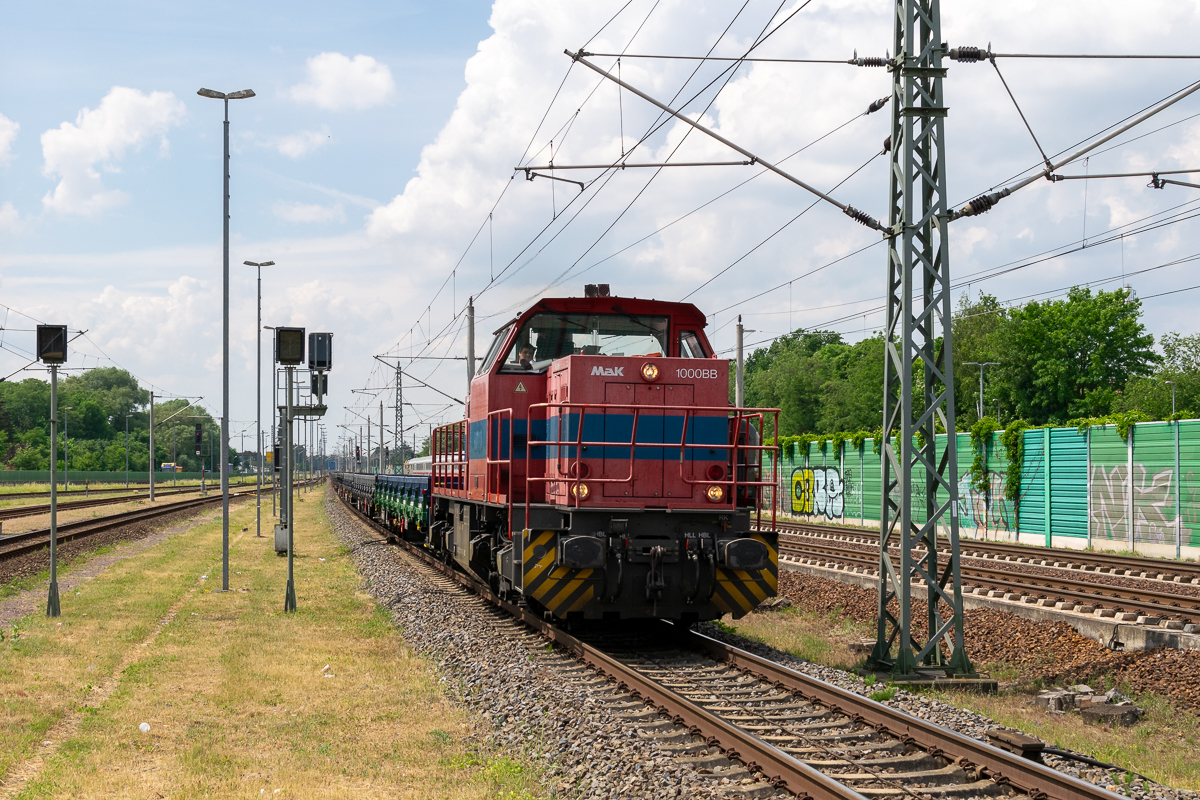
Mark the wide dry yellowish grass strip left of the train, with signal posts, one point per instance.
(241, 699)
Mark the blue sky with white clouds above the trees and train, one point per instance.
(375, 167)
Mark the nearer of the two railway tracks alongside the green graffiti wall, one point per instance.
(1063, 593)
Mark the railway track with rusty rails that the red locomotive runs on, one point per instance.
(788, 730)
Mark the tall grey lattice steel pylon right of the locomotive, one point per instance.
(920, 485)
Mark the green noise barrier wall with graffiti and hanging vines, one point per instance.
(1077, 489)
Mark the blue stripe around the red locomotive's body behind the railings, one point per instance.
(652, 429)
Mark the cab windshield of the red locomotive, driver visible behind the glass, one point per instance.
(550, 336)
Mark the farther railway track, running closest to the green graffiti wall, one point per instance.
(1144, 567)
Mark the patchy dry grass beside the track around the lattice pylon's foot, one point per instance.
(1166, 747)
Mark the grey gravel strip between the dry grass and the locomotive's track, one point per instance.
(592, 739)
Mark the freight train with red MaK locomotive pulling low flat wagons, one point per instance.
(601, 472)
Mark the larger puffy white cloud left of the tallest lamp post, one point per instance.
(125, 121)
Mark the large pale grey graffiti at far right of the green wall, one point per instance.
(1154, 503)
